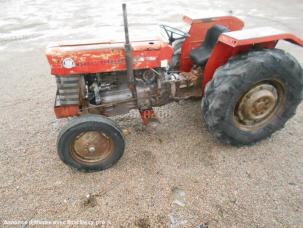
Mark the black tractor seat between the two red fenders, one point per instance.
(201, 54)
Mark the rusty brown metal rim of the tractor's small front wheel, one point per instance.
(91, 147)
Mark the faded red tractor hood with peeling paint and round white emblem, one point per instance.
(68, 58)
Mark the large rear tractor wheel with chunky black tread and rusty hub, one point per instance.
(252, 96)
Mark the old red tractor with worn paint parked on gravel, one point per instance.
(249, 88)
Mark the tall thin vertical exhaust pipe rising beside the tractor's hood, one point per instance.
(129, 56)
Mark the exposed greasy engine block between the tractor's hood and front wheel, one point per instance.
(109, 93)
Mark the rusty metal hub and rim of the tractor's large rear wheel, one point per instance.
(258, 104)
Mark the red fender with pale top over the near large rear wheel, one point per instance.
(236, 42)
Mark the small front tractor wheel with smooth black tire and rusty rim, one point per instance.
(90, 143)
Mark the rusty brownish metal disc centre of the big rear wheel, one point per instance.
(258, 106)
